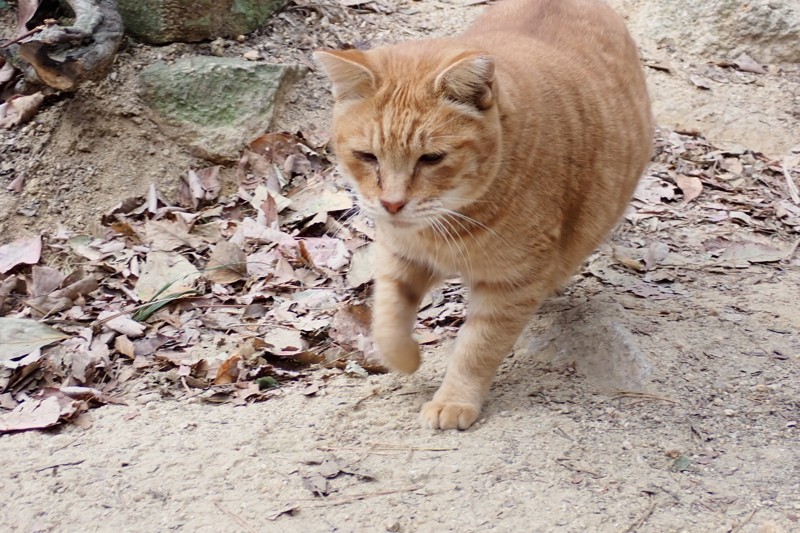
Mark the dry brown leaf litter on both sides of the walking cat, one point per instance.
(226, 294)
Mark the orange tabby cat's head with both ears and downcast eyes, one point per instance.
(416, 129)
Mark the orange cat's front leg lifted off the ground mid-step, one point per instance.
(399, 287)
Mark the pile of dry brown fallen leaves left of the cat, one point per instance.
(226, 297)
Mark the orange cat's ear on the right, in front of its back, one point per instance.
(468, 80)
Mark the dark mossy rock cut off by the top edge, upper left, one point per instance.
(166, 21)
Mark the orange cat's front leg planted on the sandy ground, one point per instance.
(494, 321)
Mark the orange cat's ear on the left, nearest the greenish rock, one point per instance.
(349, 72)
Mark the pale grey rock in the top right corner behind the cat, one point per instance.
(767, 30)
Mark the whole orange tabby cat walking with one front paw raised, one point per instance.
(505, 154)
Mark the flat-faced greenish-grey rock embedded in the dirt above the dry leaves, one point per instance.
(215, 105)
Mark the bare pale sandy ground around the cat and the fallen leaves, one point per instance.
(615, 413)
